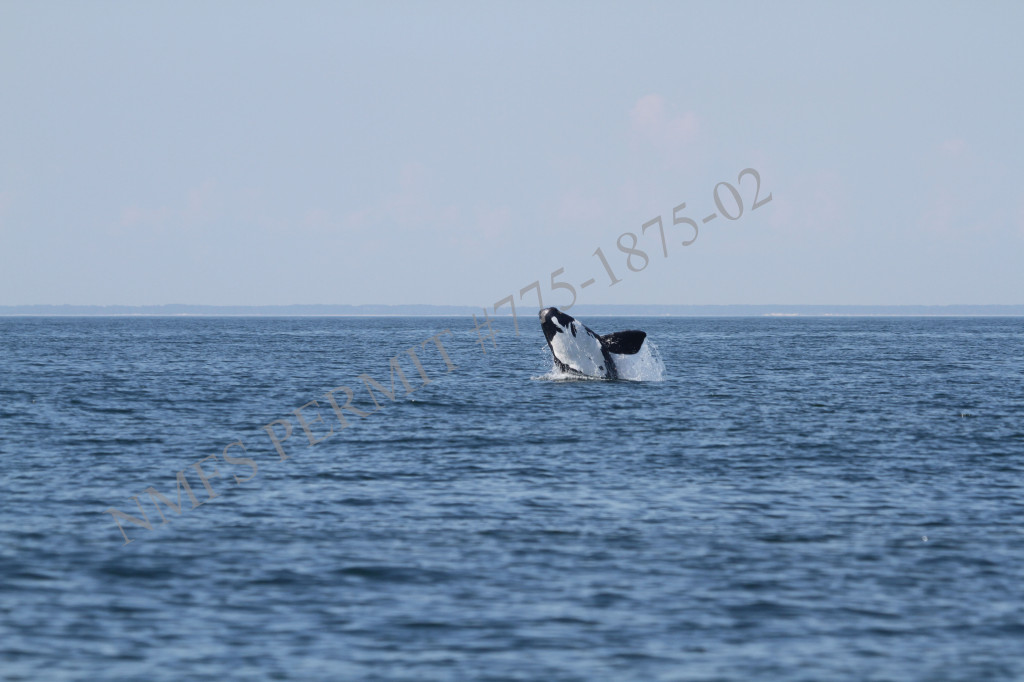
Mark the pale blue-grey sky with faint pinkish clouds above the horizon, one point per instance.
(273, 153)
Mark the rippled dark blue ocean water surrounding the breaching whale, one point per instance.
(800, 499)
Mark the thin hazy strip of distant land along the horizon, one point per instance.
(465, 311)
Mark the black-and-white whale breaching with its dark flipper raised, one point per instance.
(578, 350)
